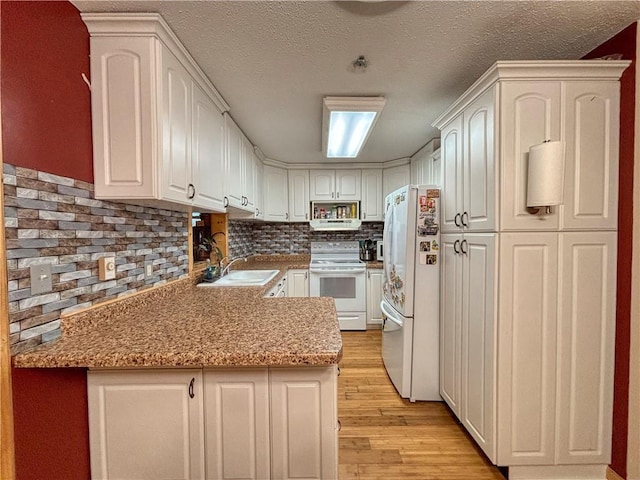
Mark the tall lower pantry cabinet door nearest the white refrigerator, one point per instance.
(451, 320)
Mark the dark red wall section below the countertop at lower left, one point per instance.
(51, 424)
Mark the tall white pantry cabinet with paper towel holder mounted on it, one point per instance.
(528, 299)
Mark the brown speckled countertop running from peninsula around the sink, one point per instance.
(181, 325)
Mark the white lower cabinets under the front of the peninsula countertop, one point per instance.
(220, 423)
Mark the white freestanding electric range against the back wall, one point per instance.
(336, 271)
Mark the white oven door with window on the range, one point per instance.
(345, 285)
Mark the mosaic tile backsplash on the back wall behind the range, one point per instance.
(267, 238)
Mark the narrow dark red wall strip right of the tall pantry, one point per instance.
(624, 43)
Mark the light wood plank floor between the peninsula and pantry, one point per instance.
(386, 437)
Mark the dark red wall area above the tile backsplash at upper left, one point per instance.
(46, 105)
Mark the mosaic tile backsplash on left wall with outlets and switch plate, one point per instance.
(56, 220)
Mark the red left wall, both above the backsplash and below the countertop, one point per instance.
(46, 125)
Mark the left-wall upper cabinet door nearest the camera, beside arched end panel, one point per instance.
(176, 130)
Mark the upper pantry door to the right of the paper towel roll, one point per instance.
(592, 116)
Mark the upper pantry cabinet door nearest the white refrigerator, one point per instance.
(451, 153)
